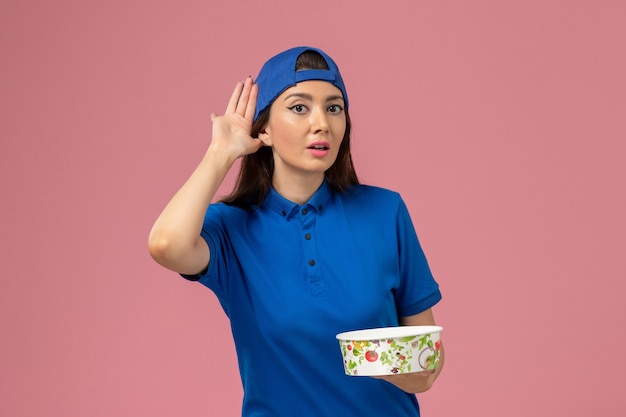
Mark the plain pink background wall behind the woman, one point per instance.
(502, 123)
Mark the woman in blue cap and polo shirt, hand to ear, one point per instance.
(300, 251)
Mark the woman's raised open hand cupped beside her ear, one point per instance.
(231, 132)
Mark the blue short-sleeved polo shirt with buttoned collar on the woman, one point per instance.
(290, 277)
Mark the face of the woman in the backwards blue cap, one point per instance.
(305, 129)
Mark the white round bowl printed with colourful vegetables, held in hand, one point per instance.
(390, 350)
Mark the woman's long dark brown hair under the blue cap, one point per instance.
(255, 175)
